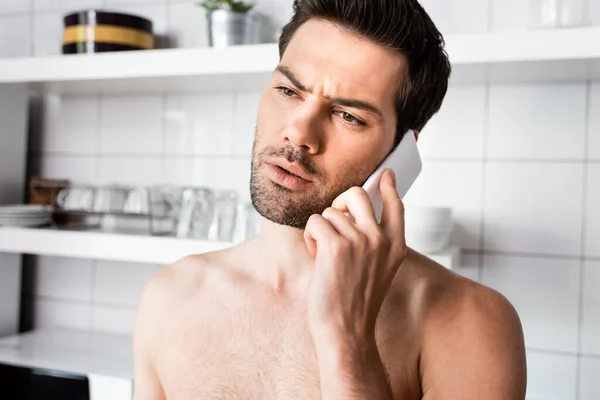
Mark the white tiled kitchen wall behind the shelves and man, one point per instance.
(519, 164)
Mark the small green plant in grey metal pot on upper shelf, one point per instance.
(229, 22)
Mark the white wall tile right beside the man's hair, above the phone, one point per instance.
(457, 131)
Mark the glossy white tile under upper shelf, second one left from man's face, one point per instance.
(200, 124)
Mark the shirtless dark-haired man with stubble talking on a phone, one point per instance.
(318, 306)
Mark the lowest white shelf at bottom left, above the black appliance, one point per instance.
(70, 351)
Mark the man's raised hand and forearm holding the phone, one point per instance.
(355, 264)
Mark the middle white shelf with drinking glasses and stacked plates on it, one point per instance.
(129, 247)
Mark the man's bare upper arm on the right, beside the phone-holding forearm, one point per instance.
(474, 350)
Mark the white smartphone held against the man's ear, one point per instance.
(405, 161)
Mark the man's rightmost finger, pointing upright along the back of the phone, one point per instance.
(392, 216)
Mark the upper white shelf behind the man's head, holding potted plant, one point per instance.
(544, 55)
